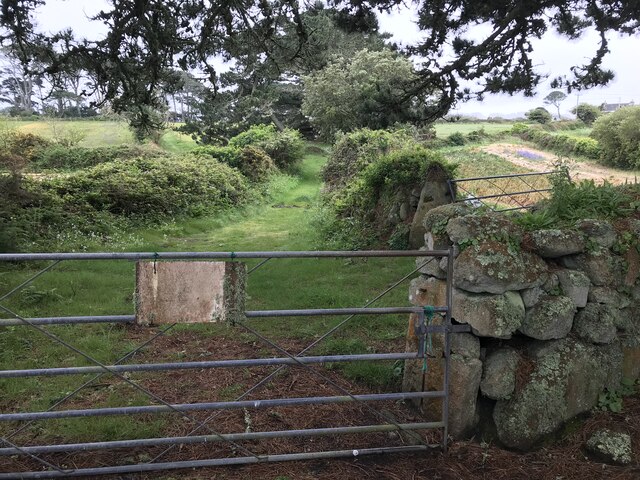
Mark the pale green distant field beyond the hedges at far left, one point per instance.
(97, 133)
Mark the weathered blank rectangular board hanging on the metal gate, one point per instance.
(189, 292)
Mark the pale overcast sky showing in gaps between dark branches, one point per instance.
(552, 54)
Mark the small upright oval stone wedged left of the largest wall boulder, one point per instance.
(499, 374)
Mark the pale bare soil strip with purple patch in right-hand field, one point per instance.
(544, 161)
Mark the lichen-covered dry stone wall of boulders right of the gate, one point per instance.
(553, 314)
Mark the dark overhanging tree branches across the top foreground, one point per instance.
(148, 39)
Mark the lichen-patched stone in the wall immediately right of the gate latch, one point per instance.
(497, 316)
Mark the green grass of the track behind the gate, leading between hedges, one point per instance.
(101, 288)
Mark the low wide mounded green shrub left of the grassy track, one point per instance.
(152, 187)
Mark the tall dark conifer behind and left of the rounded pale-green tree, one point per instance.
(261, 89)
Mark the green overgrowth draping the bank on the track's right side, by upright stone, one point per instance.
(367, 173)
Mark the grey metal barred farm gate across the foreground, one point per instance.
(49, 459)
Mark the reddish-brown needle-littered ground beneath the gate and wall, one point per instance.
(465, 460)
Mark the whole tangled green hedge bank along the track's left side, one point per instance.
(99, 192)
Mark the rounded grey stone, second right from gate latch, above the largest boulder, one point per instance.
(550, 319)
